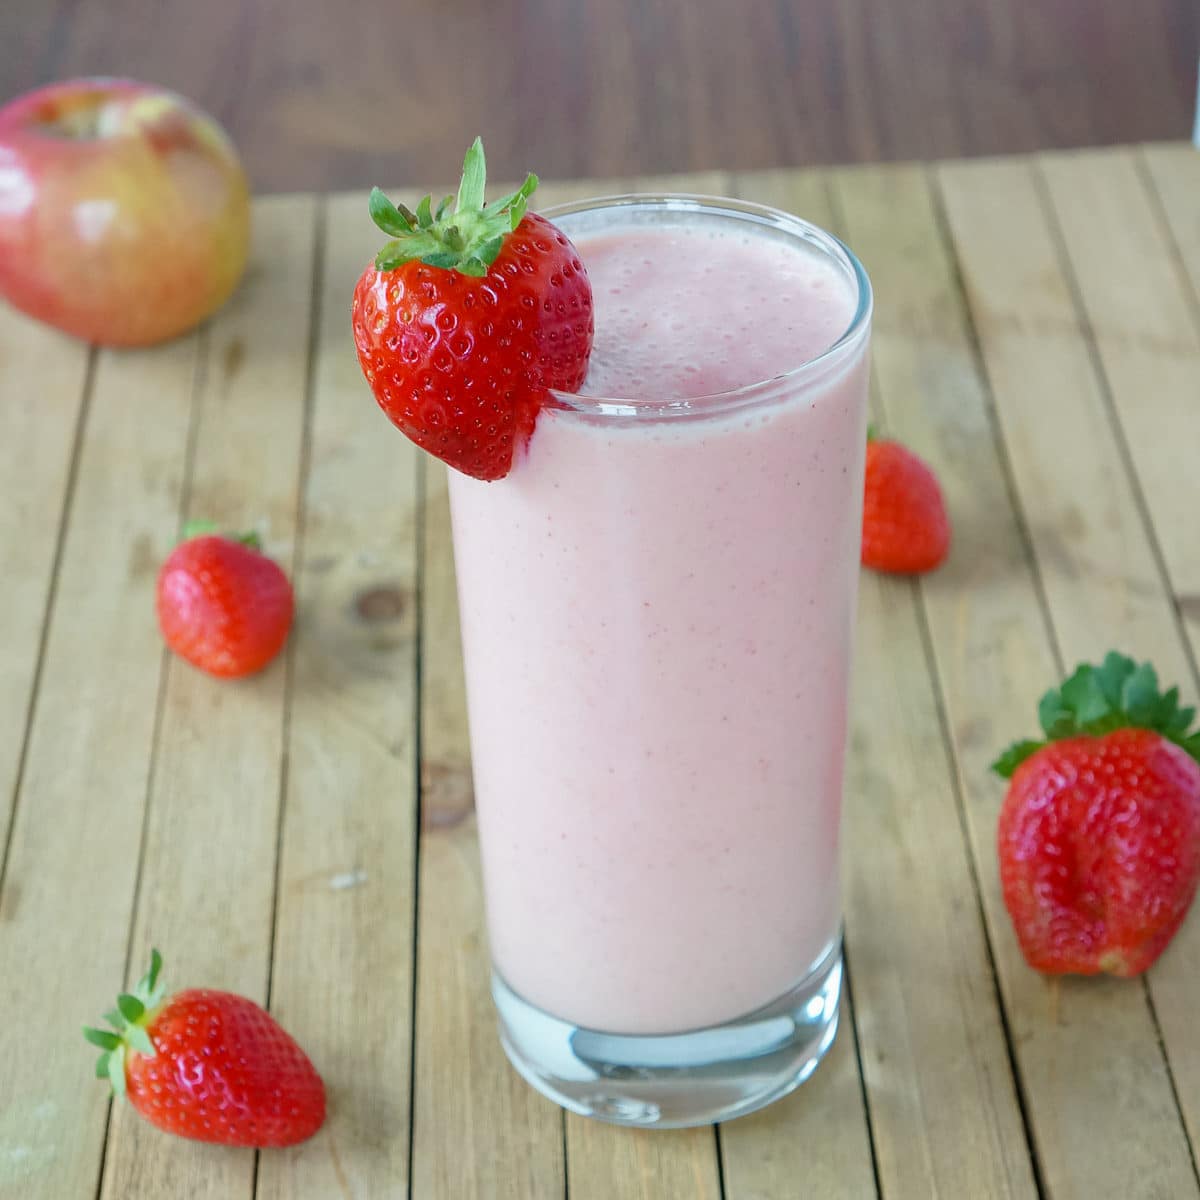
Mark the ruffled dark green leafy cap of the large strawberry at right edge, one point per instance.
(1119, 694)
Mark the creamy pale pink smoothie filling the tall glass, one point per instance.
(657, 615)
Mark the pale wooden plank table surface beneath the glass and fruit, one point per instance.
(307, 837)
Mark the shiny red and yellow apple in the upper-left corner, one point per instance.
(124, 211)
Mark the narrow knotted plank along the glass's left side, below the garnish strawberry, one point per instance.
(466, 1095)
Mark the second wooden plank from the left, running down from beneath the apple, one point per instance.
(73, 869)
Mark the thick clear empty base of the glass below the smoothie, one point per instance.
(674, 1081)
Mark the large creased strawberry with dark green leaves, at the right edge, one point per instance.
(1100, 832)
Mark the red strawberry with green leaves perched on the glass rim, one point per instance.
(469, 319)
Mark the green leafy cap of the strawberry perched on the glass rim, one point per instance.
(466, 237)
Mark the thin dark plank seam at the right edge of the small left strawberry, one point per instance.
(315, 314)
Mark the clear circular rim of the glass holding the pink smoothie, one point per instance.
(715, 404)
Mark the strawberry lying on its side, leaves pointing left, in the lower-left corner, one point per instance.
(209, 1066)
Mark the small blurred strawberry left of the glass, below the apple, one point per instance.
(223, 604)
